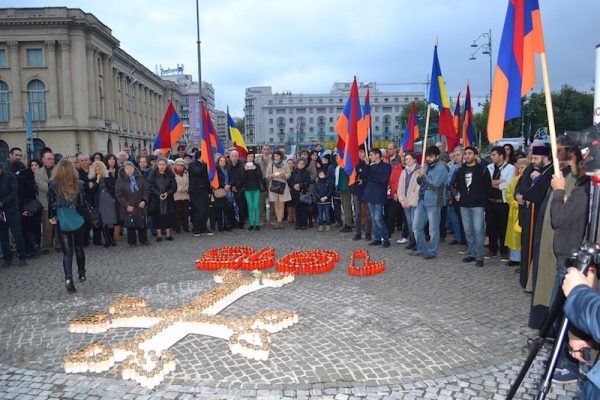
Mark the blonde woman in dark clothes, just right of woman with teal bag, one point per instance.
(104, 198)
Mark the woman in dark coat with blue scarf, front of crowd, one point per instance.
(131, 191)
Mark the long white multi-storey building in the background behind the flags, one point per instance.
(287, 118)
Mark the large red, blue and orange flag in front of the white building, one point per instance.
(347, 129)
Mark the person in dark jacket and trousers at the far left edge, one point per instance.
(10, 217)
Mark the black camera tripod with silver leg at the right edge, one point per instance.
(587, 255)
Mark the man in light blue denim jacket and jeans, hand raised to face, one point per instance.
(432, 197)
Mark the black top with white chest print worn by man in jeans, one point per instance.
(476, 194)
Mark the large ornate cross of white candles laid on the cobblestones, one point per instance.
(146, 359)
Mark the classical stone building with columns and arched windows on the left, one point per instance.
(84, 93)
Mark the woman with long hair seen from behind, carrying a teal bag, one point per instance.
(66, 207)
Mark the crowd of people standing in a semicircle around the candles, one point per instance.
(531, 218)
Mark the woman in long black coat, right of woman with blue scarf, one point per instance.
(162, 189)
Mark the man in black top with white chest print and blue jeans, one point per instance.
(471, 188)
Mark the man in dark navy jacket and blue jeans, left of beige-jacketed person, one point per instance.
(376, 195)
